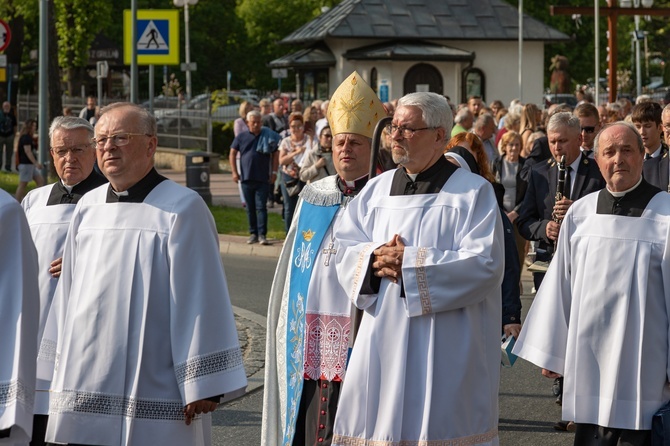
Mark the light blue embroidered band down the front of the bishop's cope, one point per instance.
(312, 226)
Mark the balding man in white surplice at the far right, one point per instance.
(601, 318)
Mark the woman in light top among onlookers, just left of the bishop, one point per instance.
(292, 151)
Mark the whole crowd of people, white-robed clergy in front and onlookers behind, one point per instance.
(392, 290)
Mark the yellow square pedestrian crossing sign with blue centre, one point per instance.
(156, 36)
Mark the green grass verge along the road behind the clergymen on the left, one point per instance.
(232, 221)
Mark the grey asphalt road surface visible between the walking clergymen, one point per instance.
(527, 408)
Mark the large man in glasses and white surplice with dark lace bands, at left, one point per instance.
(145, 338)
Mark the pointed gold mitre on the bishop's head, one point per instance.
(354, 108)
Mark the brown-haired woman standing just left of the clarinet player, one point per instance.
(507, 171)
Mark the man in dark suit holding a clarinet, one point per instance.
(540, 215)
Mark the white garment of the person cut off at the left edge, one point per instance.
(19, 319)
